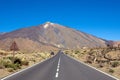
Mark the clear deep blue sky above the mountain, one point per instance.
(100, 18)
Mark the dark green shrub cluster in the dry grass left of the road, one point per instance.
(12, 64)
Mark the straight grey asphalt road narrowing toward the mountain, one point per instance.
(60, 67)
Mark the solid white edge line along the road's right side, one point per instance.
(94, 68)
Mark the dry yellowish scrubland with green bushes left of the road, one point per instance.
(10, 64)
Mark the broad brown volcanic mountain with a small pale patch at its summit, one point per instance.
(52, 35)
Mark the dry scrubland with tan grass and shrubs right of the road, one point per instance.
(105, 59)
